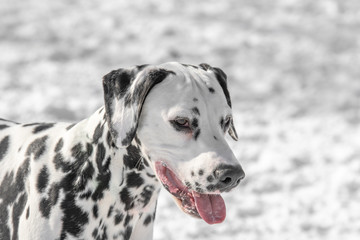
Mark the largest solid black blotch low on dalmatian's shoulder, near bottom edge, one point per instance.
(74, 218)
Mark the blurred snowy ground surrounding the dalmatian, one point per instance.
(293, 70)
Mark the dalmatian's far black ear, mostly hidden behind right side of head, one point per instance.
(222, 80)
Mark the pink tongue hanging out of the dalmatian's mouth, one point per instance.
(211, 207)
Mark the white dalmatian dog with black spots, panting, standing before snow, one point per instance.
(100, 178)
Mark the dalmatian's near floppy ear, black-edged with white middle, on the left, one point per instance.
(125, 91)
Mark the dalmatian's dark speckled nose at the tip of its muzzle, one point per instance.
(228, 177)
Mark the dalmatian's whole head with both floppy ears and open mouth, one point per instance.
(180, 114)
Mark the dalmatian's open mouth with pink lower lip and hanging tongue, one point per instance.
(209, 207)
